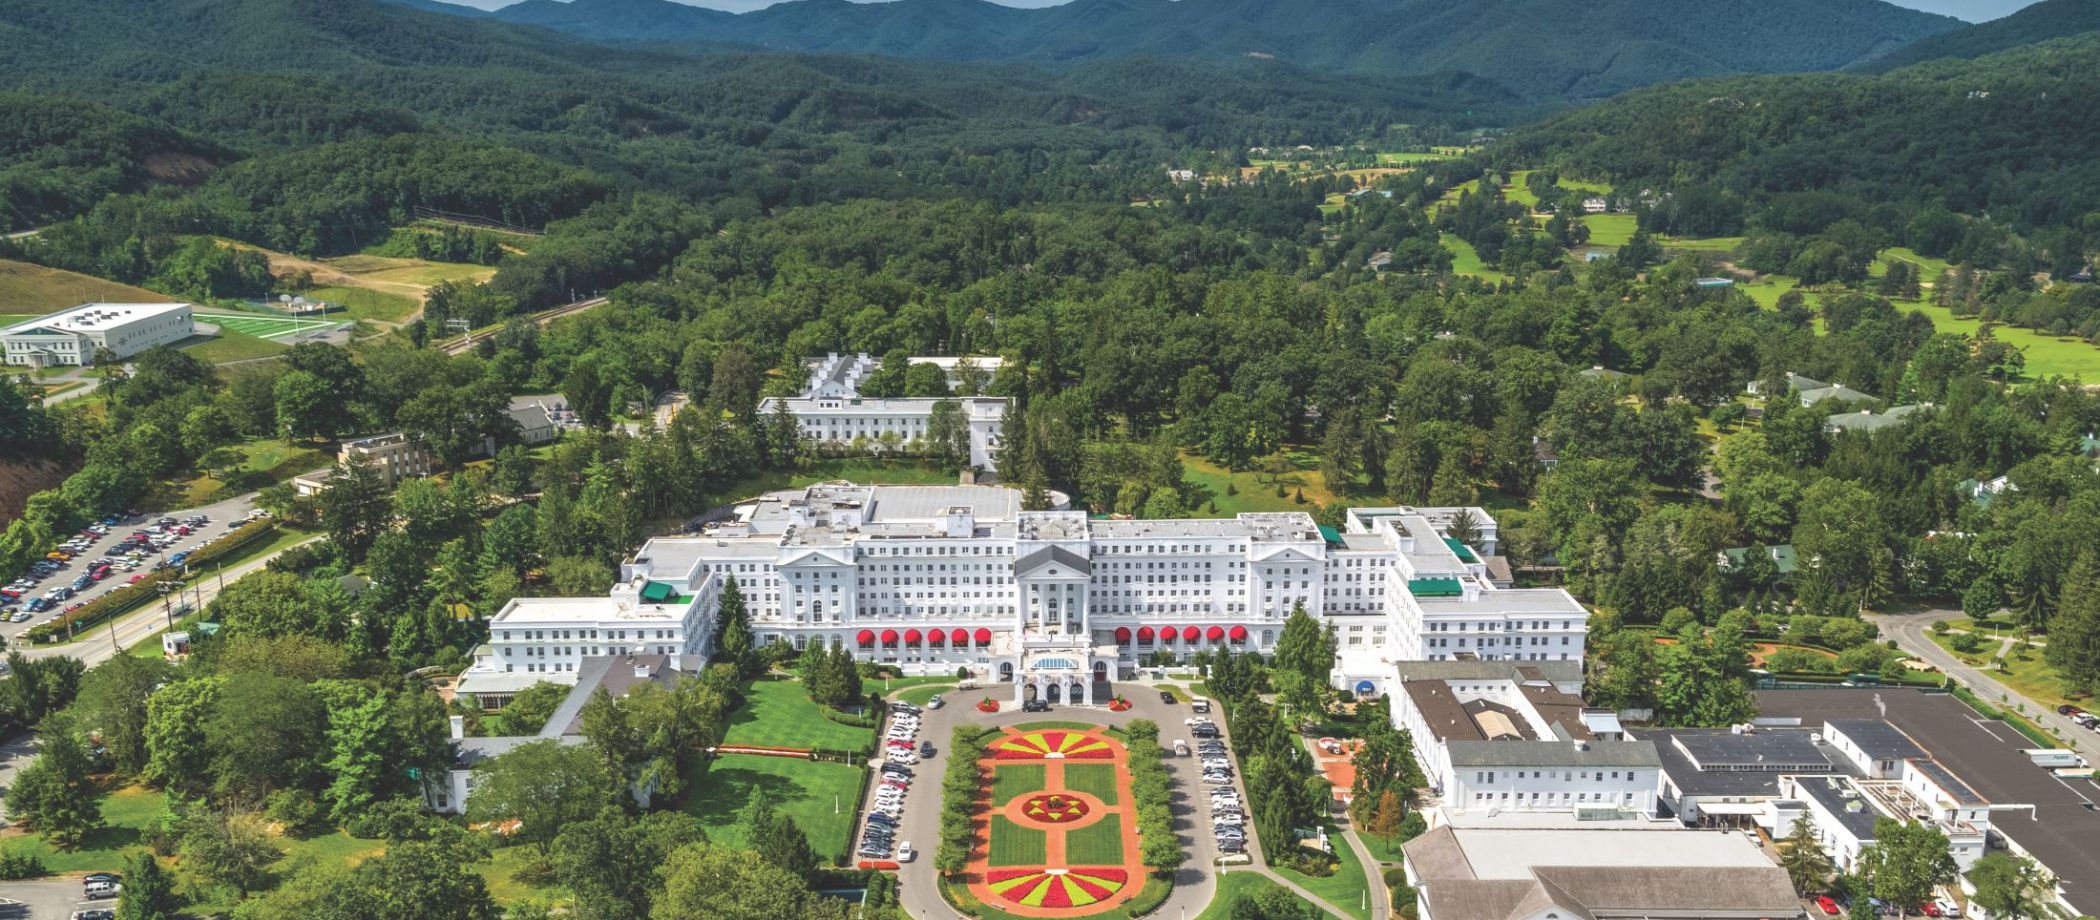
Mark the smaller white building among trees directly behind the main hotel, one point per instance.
(835, 413)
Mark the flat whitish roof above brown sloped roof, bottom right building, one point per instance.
(1513, 852)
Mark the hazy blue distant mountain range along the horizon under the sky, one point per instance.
(1536, 47)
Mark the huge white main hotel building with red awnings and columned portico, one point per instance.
(938, 579)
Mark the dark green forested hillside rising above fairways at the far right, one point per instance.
(2007, 135)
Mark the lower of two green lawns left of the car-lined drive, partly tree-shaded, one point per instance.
(820, 797)
